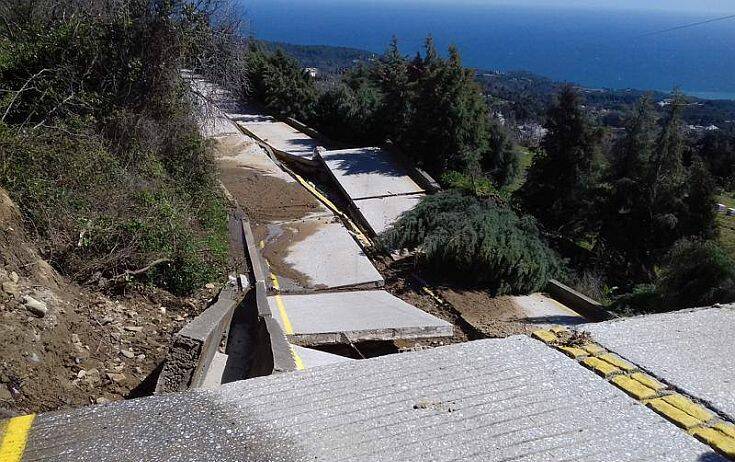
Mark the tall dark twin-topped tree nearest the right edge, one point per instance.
(654, 200)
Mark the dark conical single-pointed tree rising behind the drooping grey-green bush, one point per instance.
(563, 180)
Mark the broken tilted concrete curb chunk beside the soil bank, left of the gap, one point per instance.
(194, 346)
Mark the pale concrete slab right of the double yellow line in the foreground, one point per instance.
(691, 350)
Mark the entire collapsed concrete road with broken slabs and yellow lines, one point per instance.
(649, 388)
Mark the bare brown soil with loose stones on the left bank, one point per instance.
(88, 347)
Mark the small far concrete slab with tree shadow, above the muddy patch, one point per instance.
(283, 138)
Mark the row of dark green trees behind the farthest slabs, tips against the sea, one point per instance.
(430, 107)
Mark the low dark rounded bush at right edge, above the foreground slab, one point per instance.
(696, 273)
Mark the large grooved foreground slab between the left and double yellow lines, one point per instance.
(491, 400)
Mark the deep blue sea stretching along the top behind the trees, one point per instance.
(595, 48)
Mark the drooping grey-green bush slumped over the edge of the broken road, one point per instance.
(469, 240)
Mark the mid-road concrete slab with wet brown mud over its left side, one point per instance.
(317, 254)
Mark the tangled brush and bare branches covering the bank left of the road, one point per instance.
(100, 146)
